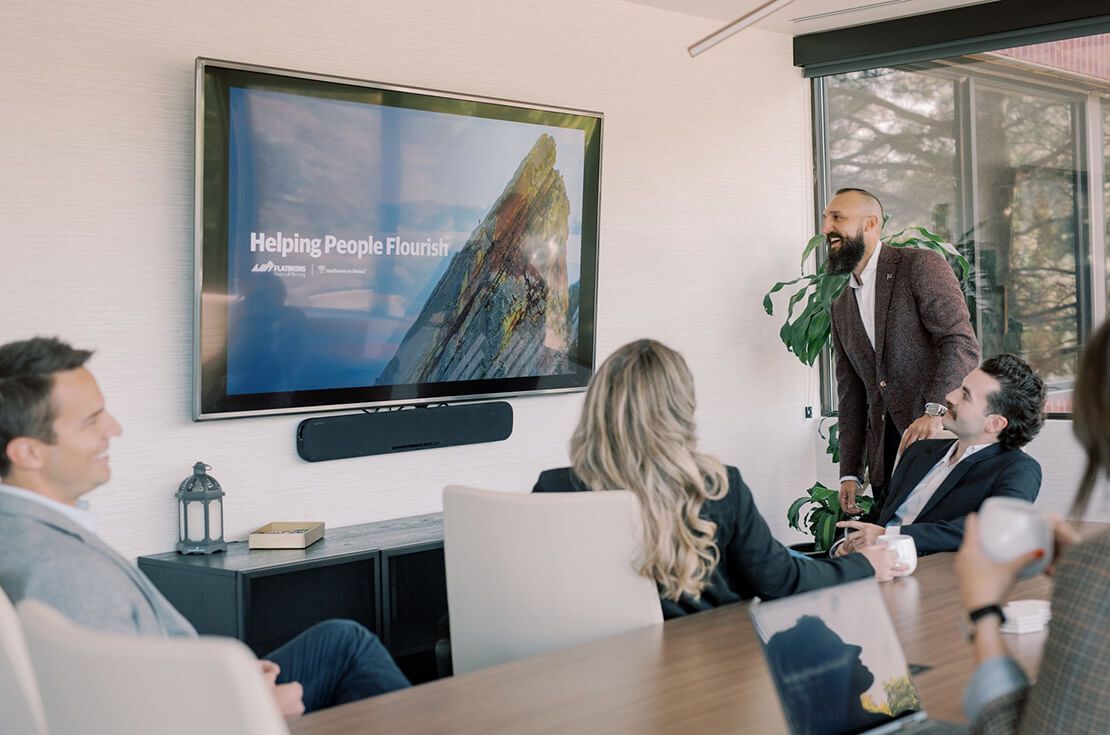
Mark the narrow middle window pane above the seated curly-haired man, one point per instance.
(1028, 229)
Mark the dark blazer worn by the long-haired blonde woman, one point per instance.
(752, 562)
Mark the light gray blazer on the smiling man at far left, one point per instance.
(47, 557)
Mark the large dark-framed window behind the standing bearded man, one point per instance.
(1005, 155)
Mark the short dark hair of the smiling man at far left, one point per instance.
(27, 378)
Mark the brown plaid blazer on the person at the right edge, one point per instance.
(1073, 690)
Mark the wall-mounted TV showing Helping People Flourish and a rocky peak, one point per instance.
(364, 245)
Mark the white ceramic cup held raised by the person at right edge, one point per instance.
(1010, 528)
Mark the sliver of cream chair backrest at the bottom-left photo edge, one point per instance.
(21, 706)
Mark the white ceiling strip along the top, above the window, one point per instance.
(809, 16)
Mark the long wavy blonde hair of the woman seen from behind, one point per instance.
(638, 434)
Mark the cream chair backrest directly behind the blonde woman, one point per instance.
(534, 572)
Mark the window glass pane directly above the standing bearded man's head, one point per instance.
(894, 134)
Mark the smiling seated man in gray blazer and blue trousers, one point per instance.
(55, 435)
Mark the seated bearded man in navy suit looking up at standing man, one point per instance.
(996, 411)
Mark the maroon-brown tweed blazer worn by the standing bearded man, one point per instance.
(924, 347)
